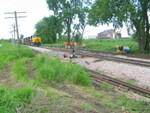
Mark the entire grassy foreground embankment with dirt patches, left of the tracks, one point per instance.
(49, 85)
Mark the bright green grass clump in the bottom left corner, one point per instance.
(10, 99)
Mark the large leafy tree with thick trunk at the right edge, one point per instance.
(132, 12)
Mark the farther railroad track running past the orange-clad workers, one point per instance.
(105, 55)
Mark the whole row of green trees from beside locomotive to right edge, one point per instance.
(70, 17)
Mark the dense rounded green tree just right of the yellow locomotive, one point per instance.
(48, 27)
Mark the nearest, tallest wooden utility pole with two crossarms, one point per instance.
(16, 22)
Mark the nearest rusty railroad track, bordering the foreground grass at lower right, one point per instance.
(98, 77)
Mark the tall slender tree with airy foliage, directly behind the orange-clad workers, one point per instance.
(69, 10)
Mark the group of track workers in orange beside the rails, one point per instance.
(74, 45)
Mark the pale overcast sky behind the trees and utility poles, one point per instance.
(35, 11)
